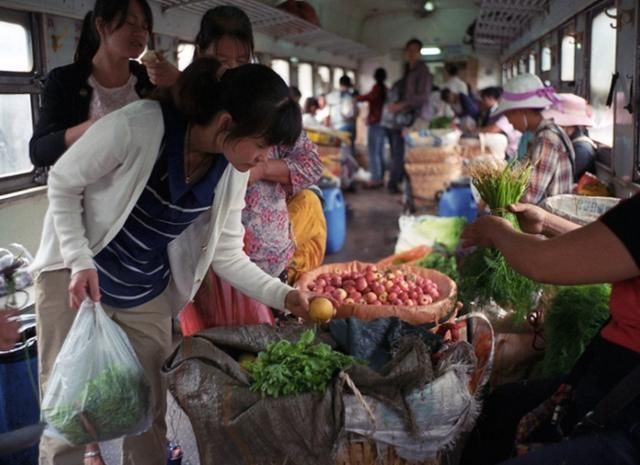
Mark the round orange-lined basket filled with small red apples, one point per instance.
(362, 290)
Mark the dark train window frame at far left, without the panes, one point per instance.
(21, 83)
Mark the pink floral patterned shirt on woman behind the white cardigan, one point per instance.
(268, 238)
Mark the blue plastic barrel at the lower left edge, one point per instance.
(19, 405)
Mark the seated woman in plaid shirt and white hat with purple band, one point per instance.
(522, 102)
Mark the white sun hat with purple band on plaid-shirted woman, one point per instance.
(525, 91)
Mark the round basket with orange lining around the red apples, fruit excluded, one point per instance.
(434, 313)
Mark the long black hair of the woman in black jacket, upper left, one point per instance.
(111, 12)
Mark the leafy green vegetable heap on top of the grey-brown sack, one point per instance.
(287, 368)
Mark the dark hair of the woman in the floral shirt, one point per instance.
(224, 20)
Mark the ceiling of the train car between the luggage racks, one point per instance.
(362, 28)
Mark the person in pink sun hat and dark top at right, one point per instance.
(573, 115)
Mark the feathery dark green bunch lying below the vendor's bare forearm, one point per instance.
(573, 318)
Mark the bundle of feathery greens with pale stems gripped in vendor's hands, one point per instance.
(485, 275)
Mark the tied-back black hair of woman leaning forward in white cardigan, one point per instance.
(254, 95)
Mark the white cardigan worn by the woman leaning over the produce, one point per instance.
(94, 186)
